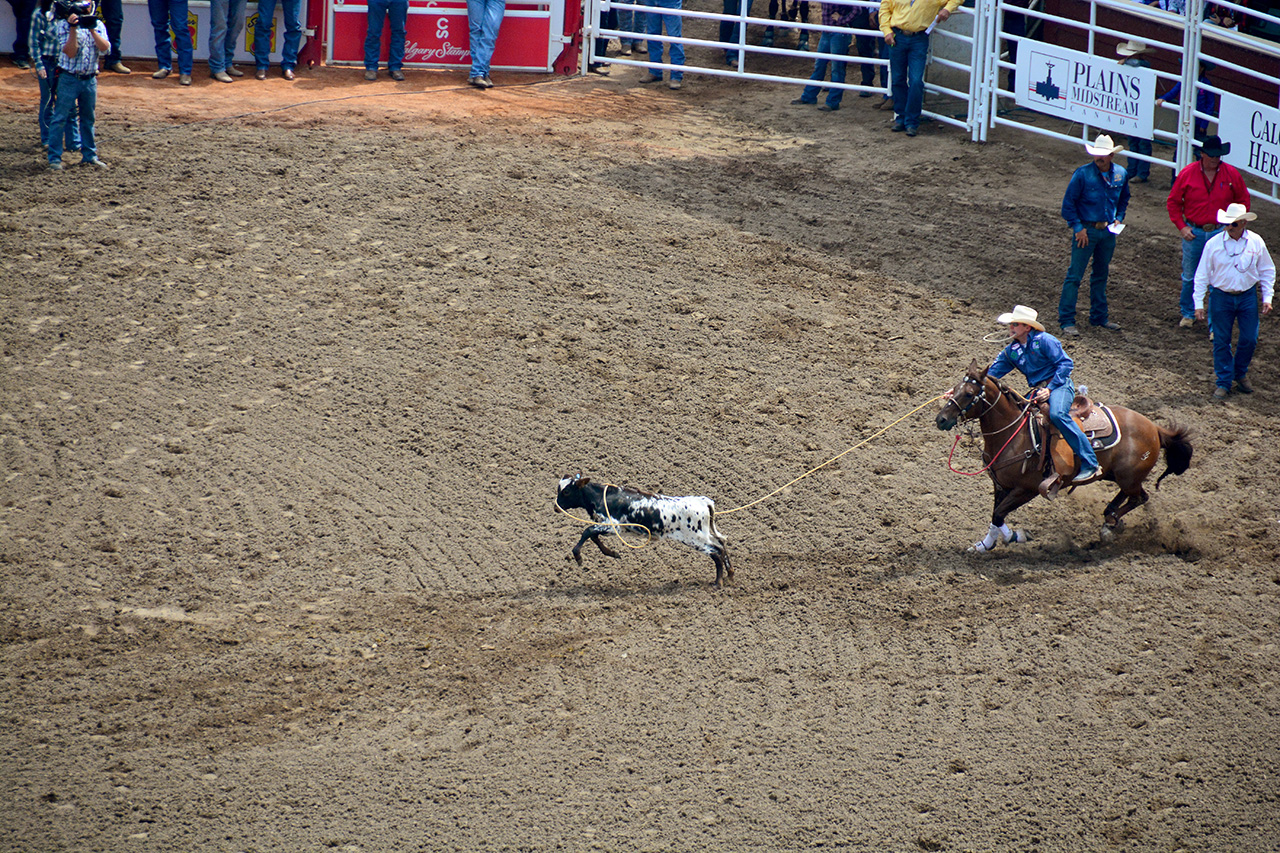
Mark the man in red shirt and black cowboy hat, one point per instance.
(1200, 191)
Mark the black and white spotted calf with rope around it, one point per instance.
(689, 521)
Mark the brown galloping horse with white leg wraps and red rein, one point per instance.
(1016, 467)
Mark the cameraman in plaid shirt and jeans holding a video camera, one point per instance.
(83, 38)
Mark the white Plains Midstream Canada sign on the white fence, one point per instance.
(1081, 88)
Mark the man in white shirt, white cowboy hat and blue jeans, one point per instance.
(1235, 264)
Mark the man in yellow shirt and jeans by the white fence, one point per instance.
(907, 25)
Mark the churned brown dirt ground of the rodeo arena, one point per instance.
(289, 390)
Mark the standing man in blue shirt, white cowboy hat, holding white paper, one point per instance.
(1096, 198)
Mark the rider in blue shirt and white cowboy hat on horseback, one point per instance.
(1040, 357)
